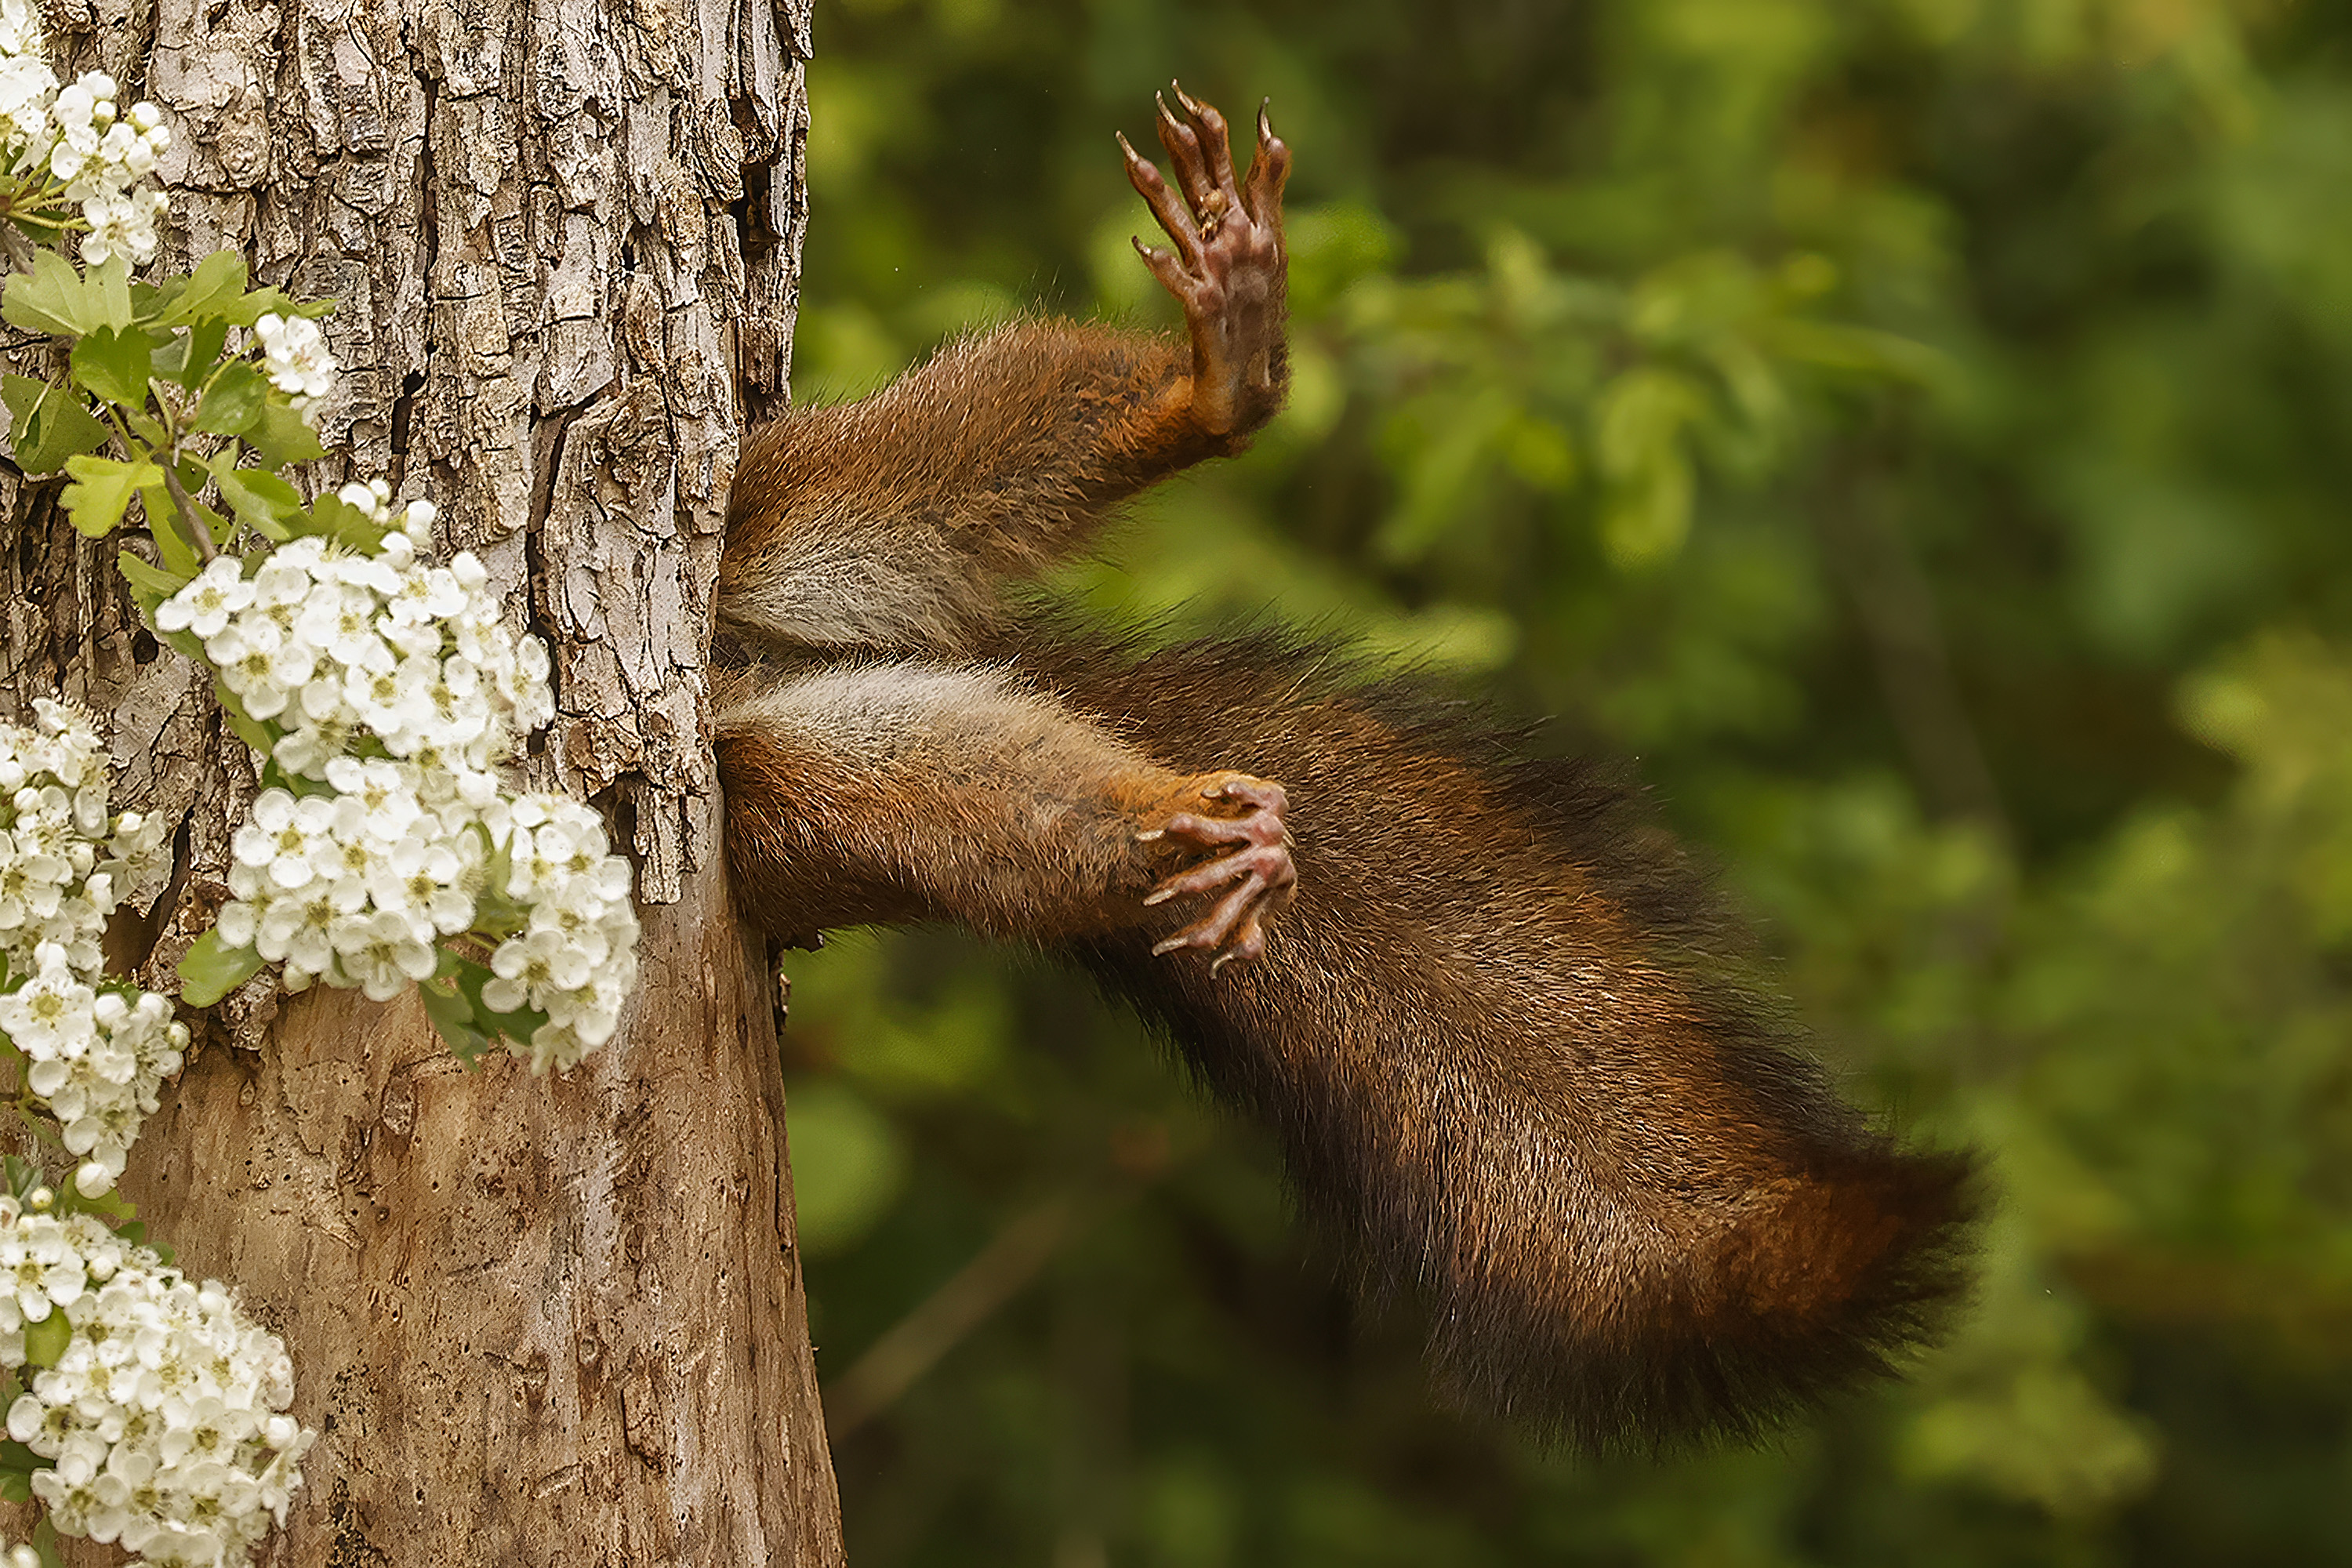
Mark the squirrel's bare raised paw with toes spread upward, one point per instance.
(1229, 262)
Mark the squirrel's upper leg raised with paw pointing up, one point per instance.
(890, 523)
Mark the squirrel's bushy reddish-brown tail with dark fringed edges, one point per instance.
(1509, 1052)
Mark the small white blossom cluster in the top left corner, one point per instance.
(100, 154)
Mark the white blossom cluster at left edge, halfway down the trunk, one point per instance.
(95, 1052)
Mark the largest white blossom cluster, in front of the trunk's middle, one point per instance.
(399, 695)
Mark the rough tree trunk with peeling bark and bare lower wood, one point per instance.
(537, 1322)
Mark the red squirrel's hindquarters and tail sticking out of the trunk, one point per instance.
(1485, 1007)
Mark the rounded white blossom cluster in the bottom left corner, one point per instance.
(166, 1414)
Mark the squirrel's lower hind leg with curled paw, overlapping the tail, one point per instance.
(914, 791)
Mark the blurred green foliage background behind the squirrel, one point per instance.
(1918, 431)
